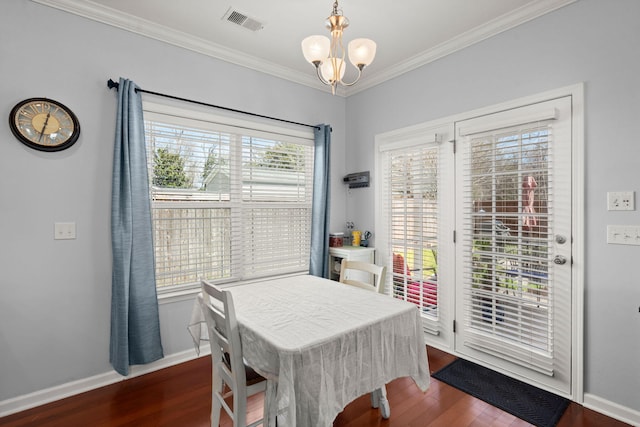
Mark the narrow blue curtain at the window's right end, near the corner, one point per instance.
(319, 262)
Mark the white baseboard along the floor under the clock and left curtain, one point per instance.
(41, 397)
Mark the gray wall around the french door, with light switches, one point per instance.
(591, 41)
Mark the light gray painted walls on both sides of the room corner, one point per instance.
(55, 295)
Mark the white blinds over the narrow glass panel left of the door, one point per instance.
(410, 211)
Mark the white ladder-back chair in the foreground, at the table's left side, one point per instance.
(228, 366)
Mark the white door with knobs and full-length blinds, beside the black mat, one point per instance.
(513, 287)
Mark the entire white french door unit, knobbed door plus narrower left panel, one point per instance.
(474, 222)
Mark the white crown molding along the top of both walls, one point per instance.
(97, 12)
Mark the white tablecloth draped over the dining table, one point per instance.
(325, 343)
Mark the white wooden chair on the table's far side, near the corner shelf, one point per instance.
(379, 396)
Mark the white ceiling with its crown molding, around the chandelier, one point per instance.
(408, 34)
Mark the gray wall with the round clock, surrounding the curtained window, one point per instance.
(55, 295)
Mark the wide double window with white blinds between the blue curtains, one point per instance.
(230, 201)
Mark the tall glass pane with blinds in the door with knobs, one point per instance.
(509, 188)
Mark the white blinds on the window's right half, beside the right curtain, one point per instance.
(276, 205)
